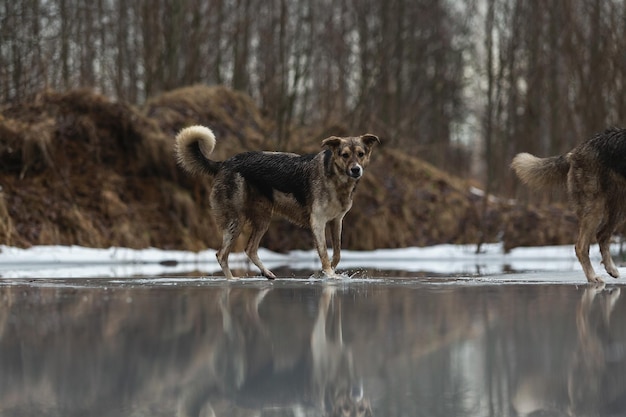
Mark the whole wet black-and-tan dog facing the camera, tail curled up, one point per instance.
(310, 190)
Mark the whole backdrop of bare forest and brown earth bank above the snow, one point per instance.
(92, 93)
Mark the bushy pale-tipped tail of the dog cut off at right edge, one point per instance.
(541, 173)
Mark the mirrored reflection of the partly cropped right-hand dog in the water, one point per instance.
(592, 383)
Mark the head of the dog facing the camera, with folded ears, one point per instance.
(350, 155)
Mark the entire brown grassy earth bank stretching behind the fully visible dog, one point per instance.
(78, 168)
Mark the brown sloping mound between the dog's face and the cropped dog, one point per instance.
(405, 201)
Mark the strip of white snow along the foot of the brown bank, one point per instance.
(76, 261)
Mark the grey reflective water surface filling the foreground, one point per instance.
(407, 348)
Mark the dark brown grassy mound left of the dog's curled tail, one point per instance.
(80, 169)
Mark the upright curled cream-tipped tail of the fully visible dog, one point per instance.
(193, 146)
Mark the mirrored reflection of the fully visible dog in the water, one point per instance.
(248, 374)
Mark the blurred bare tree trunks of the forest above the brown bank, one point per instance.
(462, 84)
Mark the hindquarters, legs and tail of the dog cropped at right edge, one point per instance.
(594, 174)
